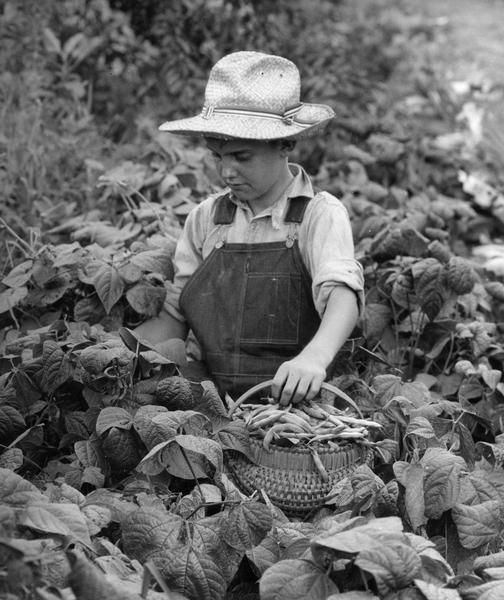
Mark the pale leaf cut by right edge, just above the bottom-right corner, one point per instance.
(477, 524)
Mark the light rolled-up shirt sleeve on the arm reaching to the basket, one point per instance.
(328, 250)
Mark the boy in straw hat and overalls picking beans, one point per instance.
(265, 274)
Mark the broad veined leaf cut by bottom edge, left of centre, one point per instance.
(191, 573)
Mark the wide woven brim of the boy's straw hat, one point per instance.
(309, 121)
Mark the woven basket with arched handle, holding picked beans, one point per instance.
(288, 475)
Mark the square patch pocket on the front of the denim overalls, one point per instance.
(271, 308)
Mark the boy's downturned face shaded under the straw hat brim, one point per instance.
(250, 168)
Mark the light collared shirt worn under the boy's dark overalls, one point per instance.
(324, 237)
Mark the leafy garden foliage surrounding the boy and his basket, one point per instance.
(112, 462)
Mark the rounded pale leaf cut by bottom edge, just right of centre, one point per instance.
(295, 579)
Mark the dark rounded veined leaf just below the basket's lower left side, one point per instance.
(246, 525)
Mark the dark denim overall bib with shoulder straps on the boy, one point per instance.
(250, 306)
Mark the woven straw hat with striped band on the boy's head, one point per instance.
(251, 95)
